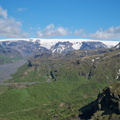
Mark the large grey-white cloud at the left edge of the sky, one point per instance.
(9, 27)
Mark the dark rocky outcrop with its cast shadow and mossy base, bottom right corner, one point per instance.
(106, 107)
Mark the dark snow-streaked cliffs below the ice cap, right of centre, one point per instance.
(64, 47)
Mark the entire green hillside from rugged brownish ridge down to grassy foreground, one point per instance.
(64, 84)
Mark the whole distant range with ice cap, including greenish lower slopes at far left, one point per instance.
(13, 49)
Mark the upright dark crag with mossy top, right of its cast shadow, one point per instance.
(109, 99)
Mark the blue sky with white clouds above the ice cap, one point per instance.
(63, 19)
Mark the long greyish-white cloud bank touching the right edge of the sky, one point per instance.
(110, 33)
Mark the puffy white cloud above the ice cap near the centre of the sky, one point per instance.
(51, 31)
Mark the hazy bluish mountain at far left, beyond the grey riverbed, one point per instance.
(11, 51)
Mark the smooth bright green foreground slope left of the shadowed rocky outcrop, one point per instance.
(56, 99)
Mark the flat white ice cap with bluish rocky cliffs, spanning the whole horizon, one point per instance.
(28, 46)
